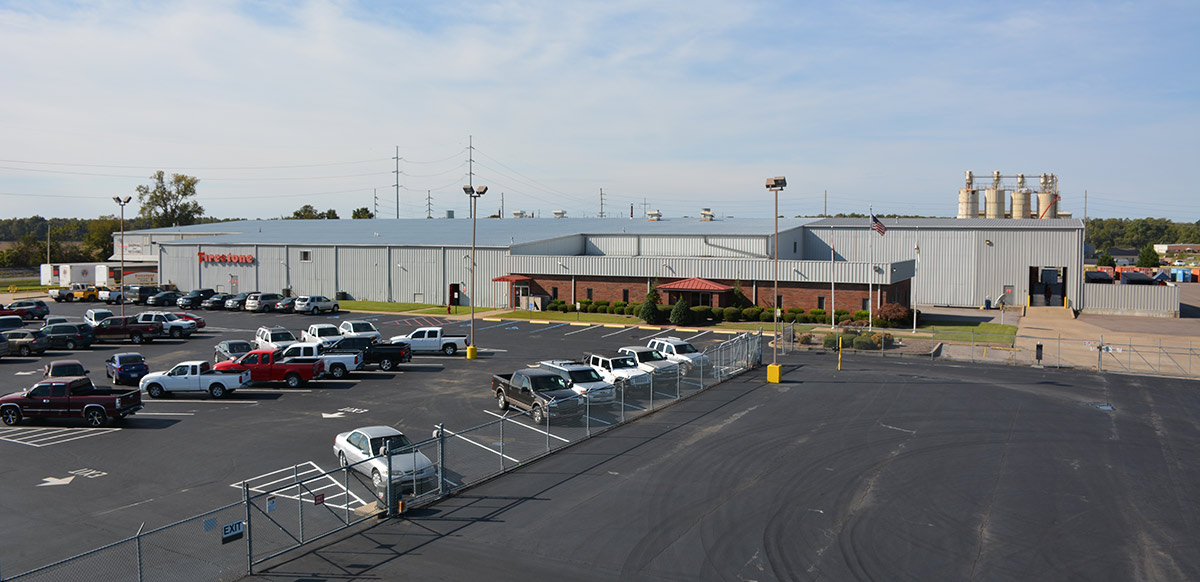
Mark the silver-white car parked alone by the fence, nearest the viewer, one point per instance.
(367, 451)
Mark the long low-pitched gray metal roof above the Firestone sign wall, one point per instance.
(455, 232)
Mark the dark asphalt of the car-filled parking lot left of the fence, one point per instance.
(70, 489)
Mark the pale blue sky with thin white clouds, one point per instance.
(670, 106)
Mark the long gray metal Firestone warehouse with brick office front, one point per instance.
(963, 262)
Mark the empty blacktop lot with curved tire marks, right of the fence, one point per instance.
(889, 471)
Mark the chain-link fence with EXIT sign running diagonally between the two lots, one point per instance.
(284, 511)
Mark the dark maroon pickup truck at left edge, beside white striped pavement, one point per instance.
(70, 398)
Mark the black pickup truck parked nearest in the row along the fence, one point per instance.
(541, 392)
